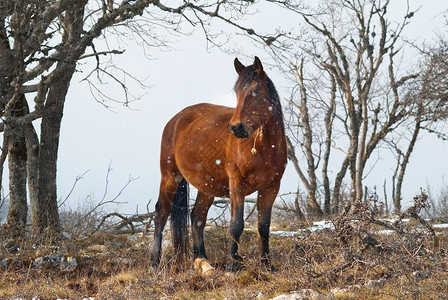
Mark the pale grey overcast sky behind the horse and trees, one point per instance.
(92, 136)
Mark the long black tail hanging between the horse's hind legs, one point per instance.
(179, 219)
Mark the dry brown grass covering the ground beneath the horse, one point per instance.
(321, 262)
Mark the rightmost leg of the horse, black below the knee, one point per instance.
(265, 201)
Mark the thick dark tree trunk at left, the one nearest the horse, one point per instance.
(46, 222)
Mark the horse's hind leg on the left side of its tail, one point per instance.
(168, 187)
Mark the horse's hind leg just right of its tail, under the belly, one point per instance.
(198, 219)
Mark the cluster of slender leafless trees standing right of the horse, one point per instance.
(351, 95)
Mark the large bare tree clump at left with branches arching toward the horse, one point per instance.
(41, 43)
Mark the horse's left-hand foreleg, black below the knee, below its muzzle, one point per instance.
(236, 228)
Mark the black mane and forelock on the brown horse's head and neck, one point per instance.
(244, 80)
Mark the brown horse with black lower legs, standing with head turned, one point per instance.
(223, 152)
